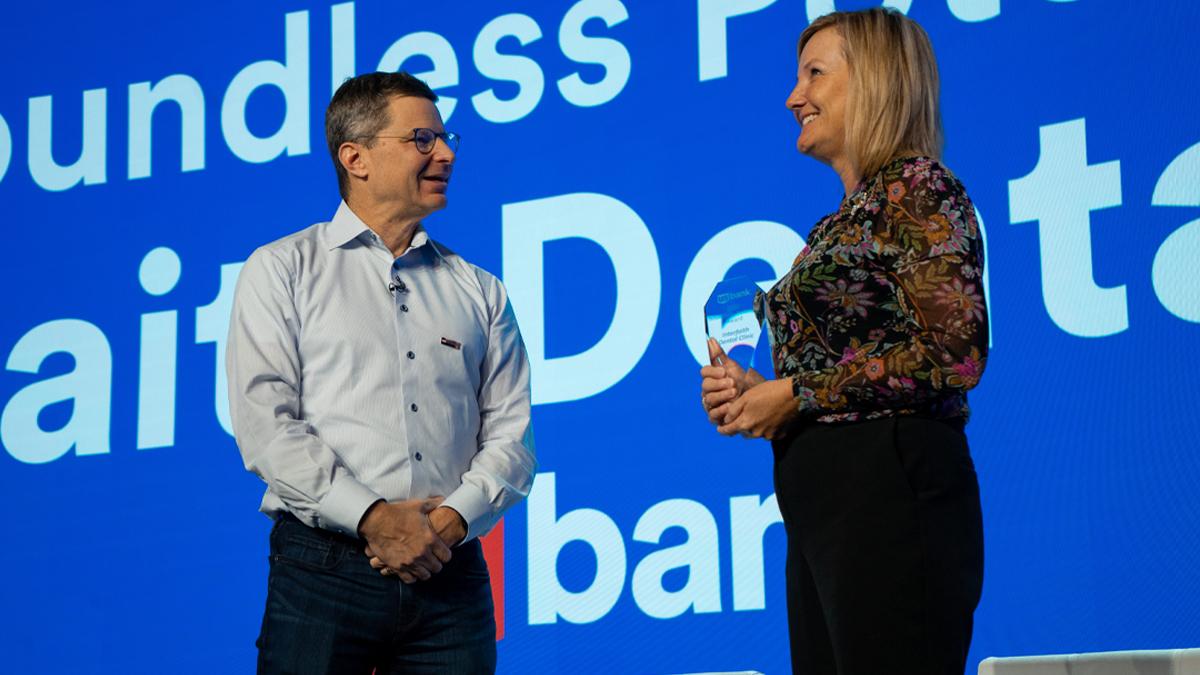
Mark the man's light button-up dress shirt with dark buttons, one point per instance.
(356, 377)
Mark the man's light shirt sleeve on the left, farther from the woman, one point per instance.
(265, 372)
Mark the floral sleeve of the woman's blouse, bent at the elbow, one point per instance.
(932, 259)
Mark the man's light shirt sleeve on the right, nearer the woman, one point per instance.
(502, 473)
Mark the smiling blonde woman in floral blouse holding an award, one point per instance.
(878, 332)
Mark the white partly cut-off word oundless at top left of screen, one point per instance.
(292, 79)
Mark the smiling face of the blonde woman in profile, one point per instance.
(819, 100)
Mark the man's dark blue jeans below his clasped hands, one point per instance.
(329, 612)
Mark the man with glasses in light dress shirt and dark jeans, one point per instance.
(380, 386)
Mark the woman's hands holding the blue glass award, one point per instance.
(742, 402)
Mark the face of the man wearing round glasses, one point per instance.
(401, 178)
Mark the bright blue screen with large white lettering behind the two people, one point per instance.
(620, 159)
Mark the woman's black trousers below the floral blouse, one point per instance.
(885, 547)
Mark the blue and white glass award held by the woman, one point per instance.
(735, 316)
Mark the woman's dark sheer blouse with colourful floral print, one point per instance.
(883, 313)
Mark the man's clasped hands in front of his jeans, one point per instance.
(411, 540)
